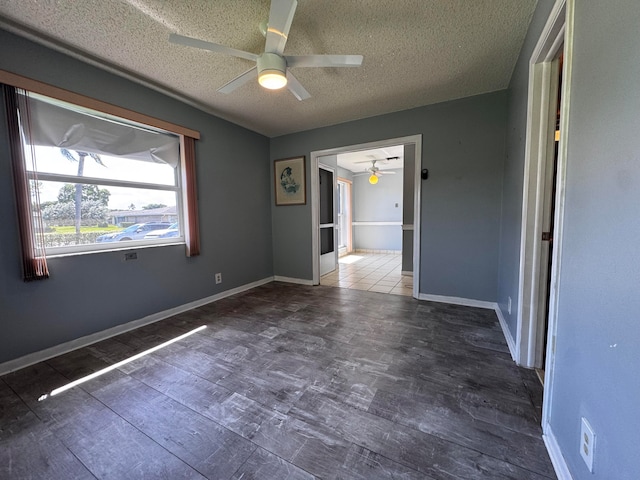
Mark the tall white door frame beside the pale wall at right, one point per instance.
(558, 31)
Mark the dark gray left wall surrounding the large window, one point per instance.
(90, 293)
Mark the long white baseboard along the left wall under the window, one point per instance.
(36, 357)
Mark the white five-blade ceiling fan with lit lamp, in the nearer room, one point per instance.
(272, 66)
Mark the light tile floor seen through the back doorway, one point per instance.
(370, 271)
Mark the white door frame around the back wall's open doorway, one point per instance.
(416, 140)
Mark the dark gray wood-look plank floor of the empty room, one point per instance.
(286, 382)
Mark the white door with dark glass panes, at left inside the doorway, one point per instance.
(327, 231)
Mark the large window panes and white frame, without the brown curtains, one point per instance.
(103, 182)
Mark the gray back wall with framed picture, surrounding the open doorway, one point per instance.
(463, 147)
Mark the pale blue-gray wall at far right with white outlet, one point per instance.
(598, 338)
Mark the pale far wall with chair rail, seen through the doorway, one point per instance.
(378, 203)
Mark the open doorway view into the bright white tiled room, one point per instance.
(374, 263)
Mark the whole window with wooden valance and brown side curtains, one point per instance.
(111, 153)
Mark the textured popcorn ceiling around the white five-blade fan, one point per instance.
(416, 52)
